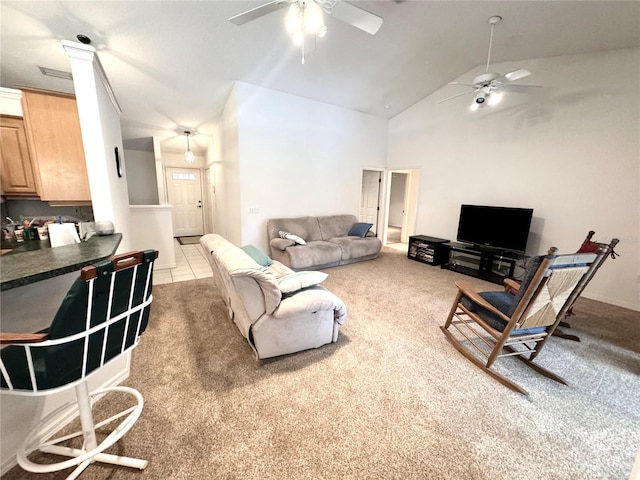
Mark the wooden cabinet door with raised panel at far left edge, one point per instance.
(15, 162)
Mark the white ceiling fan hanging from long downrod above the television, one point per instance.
(490, 86)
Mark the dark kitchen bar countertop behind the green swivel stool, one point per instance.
(36, 261)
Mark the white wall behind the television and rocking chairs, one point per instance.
(570, 150)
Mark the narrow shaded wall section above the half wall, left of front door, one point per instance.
(141, 177)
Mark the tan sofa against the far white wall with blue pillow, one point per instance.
(327, 242)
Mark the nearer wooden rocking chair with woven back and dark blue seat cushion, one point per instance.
(488, 325)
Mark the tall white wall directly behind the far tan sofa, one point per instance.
(300, 157)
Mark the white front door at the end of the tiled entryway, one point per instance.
(184, 192)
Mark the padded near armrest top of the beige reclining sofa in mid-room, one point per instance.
(311, 300)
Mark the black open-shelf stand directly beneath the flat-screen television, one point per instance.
(481, 262)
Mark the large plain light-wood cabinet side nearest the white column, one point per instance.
(53, 131)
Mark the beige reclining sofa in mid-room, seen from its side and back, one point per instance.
(272, 322)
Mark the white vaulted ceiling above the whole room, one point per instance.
(172, 63)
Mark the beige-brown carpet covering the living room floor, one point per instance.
(392, 399)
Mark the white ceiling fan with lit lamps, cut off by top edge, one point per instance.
(305, 17)
